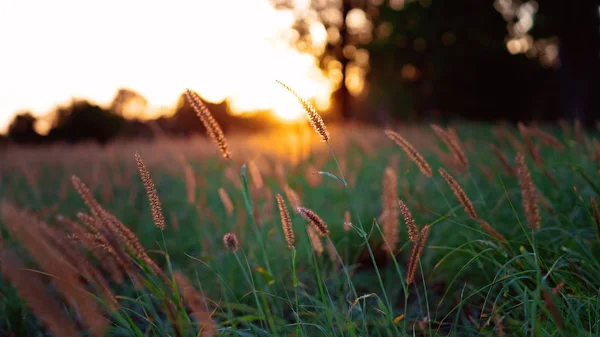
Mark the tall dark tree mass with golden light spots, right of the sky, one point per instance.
(421, 57)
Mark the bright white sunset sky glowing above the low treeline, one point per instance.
(51, 51)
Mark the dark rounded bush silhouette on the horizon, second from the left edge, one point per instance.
(82, 120)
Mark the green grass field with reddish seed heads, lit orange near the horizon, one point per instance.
(470, 280)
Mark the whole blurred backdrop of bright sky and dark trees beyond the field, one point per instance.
(76, 71)
